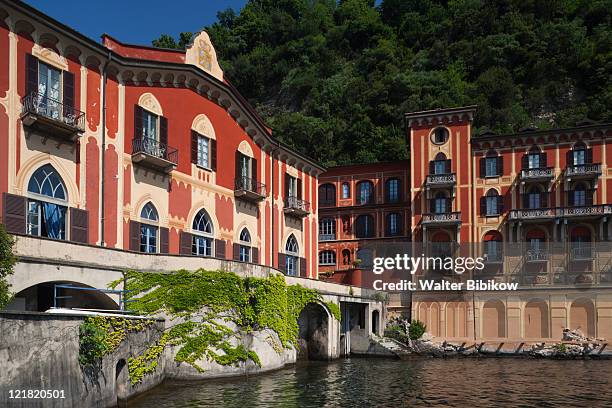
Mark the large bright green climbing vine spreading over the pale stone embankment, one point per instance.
(204, 302)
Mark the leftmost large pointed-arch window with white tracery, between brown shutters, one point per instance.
(47, 204)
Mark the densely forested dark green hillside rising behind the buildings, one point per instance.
(334, 78)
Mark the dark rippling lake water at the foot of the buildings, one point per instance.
(361, 382)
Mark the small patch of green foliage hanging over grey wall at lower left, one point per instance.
(101, 335)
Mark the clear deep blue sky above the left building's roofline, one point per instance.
(135, 22)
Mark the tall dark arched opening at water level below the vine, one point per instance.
(313, 324)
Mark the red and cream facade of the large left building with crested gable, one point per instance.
(144, 149)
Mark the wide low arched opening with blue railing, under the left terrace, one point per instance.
(39, 298)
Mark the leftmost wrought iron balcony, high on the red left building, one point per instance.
(52, 116)
